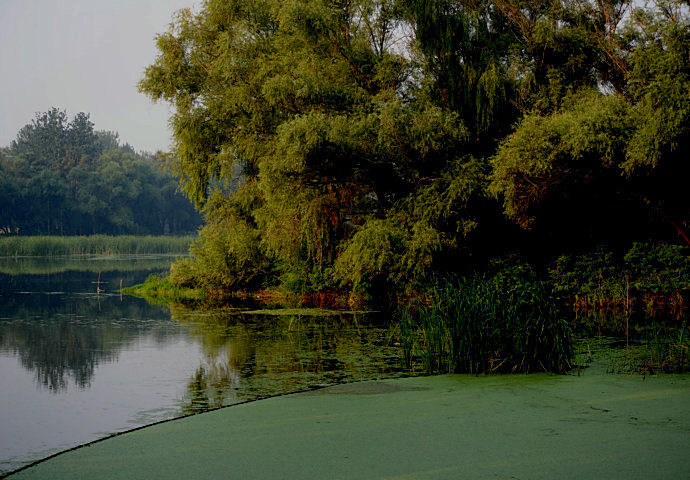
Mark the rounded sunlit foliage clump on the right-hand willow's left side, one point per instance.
(573, 153)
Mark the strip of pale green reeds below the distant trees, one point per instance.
(93, 244)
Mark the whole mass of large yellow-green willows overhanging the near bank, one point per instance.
(370, 144)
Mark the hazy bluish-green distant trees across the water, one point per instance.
(61, 177)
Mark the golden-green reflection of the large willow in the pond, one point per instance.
(251, 356)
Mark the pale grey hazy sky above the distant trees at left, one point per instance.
(83, 56)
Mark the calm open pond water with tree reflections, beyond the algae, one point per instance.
(77, 364)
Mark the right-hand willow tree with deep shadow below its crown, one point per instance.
(609, 163)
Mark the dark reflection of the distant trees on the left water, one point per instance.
(61, 339)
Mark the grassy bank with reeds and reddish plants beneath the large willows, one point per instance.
(516, 317)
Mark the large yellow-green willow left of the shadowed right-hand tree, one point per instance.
(300, 127)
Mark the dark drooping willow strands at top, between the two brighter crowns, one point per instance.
(464, 47)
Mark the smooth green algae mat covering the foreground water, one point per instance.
(527, 427)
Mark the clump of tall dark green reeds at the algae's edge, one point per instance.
(507, 322)
